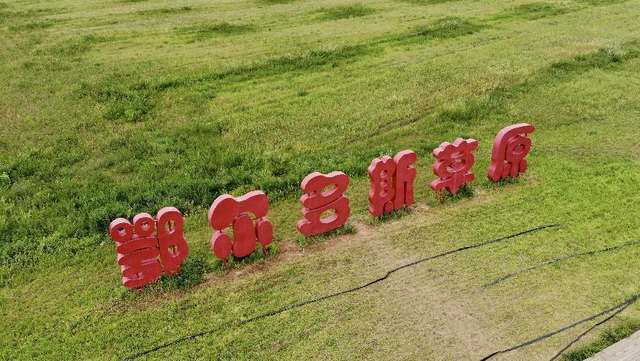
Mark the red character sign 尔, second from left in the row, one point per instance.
(228, 211)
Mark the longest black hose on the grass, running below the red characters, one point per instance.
(350, 290)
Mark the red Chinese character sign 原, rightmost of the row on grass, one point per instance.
(510, 148)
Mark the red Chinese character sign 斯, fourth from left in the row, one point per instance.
(391, 182)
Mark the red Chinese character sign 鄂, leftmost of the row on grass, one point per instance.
(139, 248)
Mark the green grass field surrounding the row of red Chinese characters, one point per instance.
(111, 108)
